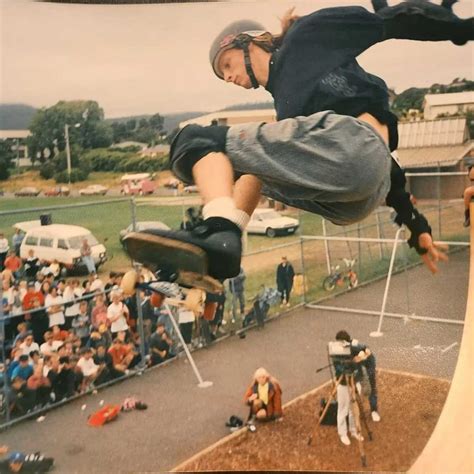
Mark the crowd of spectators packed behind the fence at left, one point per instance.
(65, 336)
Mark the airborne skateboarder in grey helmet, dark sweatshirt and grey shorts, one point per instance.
(329, 151)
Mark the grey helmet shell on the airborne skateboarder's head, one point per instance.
(226, 39)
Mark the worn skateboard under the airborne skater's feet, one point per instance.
(179, 262)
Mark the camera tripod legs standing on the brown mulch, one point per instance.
(357, 411)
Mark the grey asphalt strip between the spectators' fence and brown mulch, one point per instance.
(182, 419)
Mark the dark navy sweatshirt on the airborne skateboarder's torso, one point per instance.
(315, 68)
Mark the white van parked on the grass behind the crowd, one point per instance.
(62, 243)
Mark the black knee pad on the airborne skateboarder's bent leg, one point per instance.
(191, 144)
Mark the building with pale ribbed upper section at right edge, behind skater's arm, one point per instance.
(441, 145)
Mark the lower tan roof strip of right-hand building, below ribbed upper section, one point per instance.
(431, 157)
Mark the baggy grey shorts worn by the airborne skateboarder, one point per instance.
(332, 165)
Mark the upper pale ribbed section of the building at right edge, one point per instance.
(426, 133)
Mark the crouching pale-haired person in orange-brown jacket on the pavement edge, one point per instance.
(264, 396)
